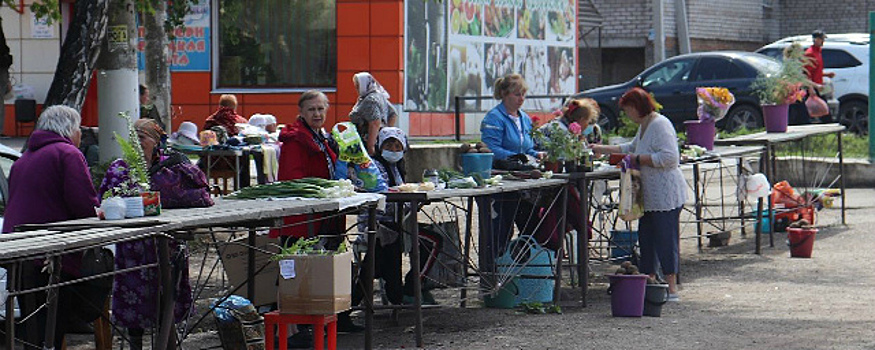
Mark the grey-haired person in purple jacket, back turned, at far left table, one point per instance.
(49, 183)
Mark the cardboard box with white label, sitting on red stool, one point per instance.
(315, 284)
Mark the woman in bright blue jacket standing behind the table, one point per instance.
(506, 130)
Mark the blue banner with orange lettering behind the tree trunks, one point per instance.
(190, 48)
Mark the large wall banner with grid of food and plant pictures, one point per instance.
(465, 45)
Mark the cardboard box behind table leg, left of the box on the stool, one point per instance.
(235, 258)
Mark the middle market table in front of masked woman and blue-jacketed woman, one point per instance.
(416, 199)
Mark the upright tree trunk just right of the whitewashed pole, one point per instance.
(157, 67)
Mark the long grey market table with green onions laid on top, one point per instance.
(241, 213)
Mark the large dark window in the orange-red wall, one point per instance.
(276, 44)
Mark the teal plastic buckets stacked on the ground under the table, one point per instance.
(528, 268)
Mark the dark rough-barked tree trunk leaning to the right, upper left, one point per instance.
(79, 53)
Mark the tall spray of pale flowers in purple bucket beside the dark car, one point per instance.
(778, 90)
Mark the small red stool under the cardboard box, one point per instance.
(281, 321)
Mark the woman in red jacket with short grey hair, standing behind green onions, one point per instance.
(307, 151)
